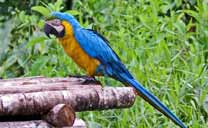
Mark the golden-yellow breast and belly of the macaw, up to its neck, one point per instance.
(73, 49)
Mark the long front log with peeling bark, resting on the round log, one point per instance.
(39, 103)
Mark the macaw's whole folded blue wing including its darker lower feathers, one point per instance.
(96, 46)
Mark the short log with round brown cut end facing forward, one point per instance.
(61, 115)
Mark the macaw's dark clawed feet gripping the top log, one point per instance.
(87, 79)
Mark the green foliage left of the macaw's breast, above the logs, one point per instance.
(24, 46)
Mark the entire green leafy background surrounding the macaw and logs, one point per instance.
(163, 43)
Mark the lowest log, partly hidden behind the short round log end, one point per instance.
(39, 124)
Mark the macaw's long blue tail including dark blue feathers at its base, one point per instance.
(118, 71)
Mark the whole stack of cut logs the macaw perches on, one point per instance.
(52, 102)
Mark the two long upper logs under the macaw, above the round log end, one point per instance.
(37, 95)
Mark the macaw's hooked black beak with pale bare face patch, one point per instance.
(54, 27)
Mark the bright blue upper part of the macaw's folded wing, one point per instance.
(95, 46)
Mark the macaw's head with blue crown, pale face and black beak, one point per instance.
(55, 26)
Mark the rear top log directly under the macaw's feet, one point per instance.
(37, 84)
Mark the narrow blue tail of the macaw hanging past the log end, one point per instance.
(155, 102)
